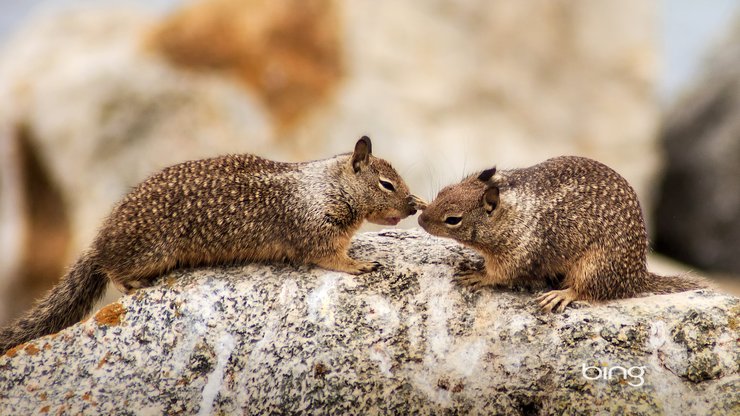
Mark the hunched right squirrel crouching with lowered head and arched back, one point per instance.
(570, 220)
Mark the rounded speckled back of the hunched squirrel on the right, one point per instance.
(580, 203)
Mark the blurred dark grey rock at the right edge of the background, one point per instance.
(698, 211)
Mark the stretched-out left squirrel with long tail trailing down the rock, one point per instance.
(225, 210)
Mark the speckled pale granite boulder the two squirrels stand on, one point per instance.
(404, 340)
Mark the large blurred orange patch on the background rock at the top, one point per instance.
(287, 51)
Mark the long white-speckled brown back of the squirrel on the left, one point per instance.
(199, 210)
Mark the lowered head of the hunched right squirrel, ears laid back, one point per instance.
(468, 211)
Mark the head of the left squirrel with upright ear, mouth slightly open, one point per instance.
(386, 194)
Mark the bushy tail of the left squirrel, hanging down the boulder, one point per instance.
(65, 304)
